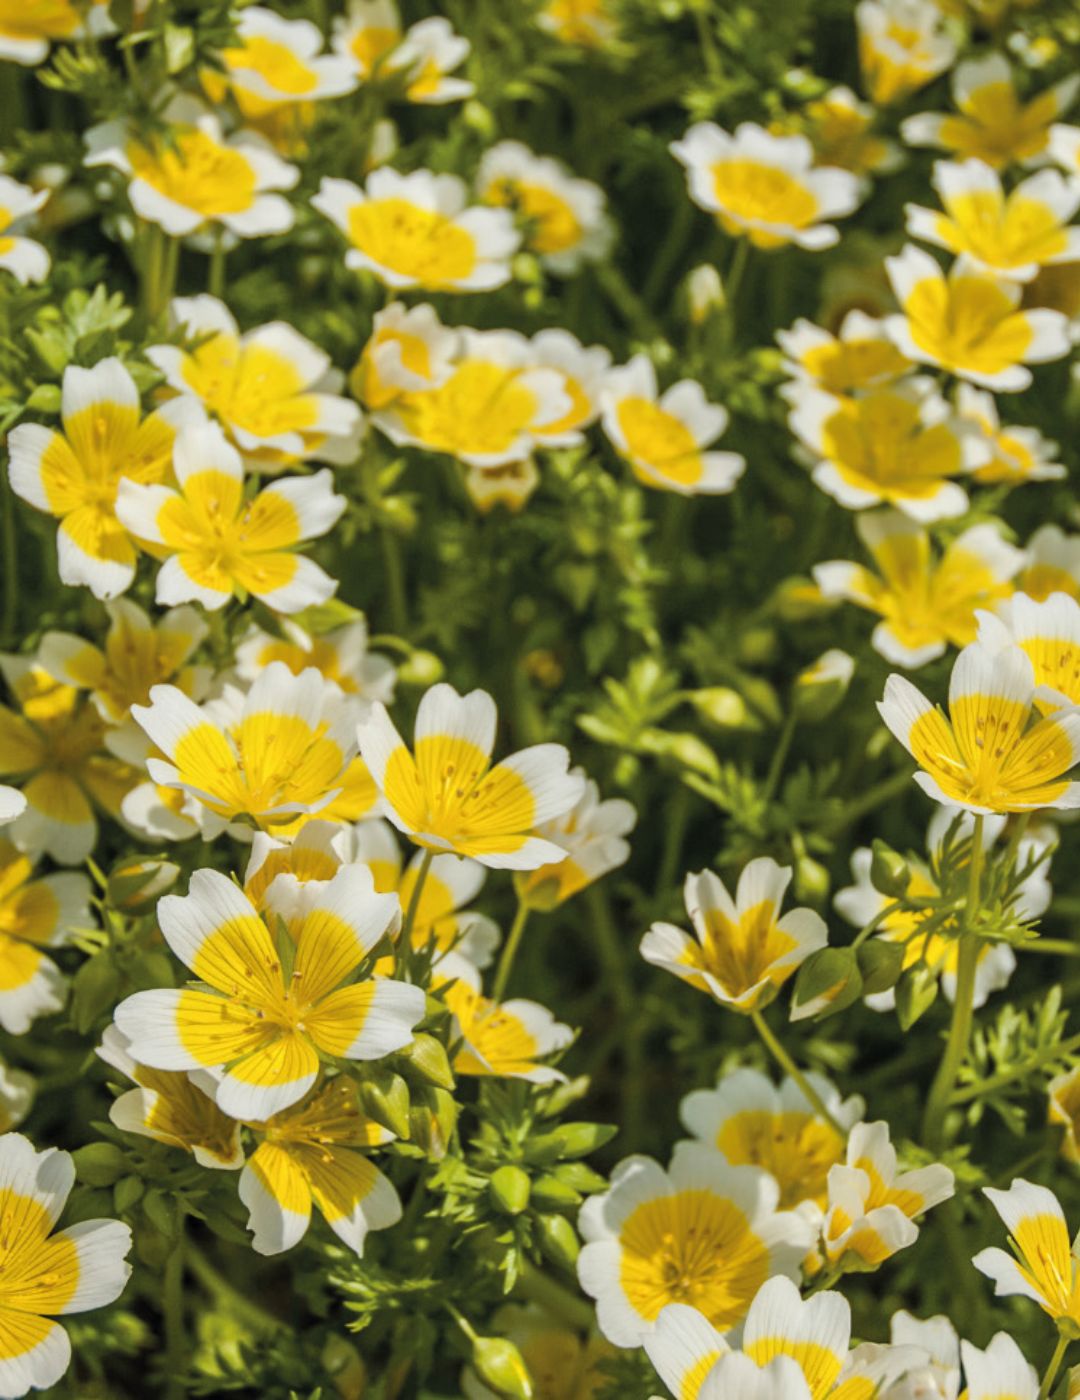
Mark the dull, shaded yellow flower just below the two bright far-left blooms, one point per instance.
(138, 654)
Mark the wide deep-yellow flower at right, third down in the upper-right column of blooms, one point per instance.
(899, 444)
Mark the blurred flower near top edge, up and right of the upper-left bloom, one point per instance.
(277, 69)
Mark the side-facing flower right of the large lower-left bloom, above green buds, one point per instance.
(504, 1041)
